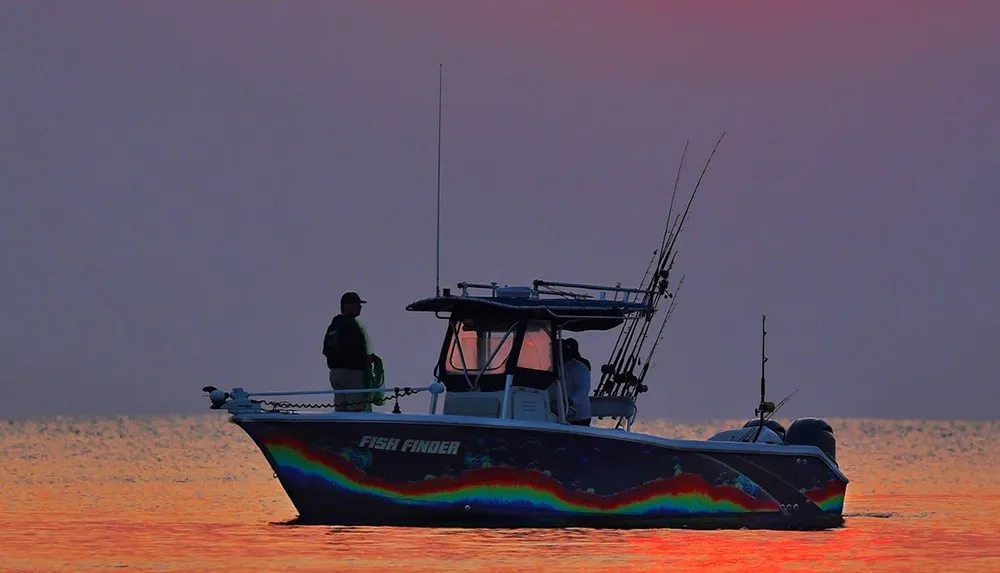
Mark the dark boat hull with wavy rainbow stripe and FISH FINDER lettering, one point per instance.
(385, 470)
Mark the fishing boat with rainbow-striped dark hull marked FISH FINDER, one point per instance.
(496, 447)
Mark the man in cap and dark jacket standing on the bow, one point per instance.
(346, 349)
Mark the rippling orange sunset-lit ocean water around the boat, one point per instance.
(193, 493)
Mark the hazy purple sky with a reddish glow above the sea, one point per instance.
(186, 188)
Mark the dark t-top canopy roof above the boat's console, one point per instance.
(574, 315)
